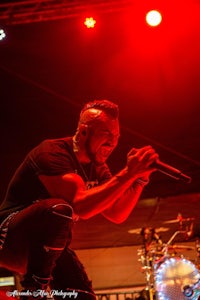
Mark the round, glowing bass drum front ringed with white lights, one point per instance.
(176, 279)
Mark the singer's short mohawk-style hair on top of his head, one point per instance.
(107, 106)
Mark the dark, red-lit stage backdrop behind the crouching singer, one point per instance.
(48, 70)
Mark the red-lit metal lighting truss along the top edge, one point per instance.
(29, 11)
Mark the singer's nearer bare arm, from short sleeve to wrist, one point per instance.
(87, 203)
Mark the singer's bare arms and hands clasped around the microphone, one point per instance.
(88, 203)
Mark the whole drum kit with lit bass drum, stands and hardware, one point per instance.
(169, 274)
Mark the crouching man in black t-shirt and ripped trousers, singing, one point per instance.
(58, 182)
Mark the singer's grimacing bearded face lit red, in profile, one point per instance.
(102, 138)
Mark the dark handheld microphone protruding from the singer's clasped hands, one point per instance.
(170, 171)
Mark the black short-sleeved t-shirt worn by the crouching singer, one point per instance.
(51, 157)
